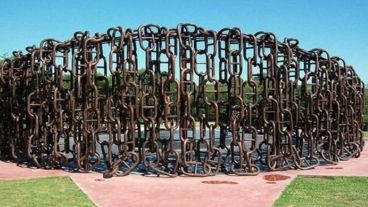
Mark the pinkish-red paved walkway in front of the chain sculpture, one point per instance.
(137, 190)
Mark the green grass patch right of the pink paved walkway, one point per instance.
(325, 191)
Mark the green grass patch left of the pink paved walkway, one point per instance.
(51, 191)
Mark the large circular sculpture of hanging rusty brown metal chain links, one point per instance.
(178, 101)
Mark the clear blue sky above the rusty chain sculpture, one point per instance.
(339, 26)
